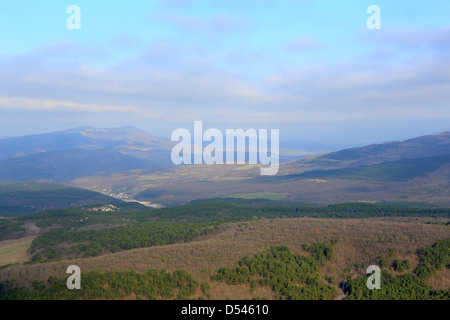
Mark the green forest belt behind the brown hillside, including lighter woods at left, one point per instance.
(89, 231)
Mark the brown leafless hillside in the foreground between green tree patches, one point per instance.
(360, 243)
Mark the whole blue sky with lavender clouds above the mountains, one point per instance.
(311, 68)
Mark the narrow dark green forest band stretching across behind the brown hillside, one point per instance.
(222, 211)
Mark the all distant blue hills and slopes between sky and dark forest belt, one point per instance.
(133, 163)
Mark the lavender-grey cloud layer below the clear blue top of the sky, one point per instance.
(205, 71)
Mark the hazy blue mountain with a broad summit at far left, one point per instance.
(79, 152)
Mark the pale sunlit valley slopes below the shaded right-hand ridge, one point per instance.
(179, 185)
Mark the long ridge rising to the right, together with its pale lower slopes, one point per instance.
(415, 170)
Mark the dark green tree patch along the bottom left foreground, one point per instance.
(110, 285)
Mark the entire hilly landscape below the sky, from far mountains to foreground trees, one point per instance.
(221, 232)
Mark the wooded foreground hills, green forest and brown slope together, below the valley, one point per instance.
(226, 244)
